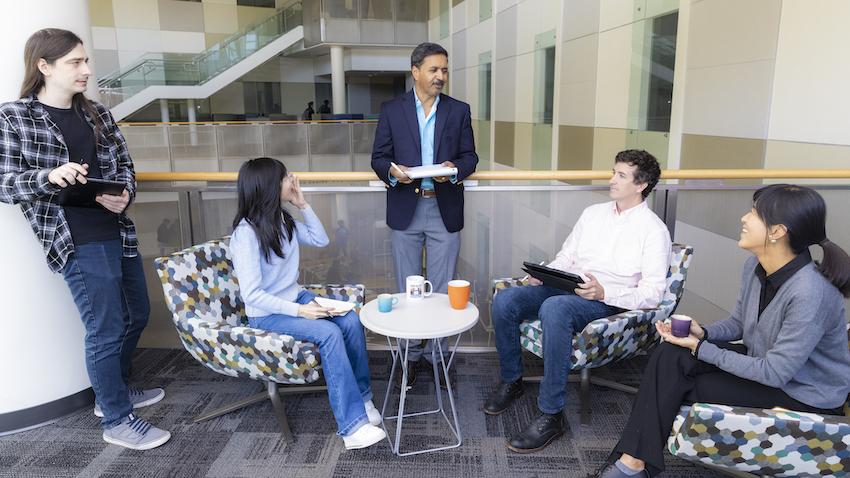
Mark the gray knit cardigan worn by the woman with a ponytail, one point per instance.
(800, 343)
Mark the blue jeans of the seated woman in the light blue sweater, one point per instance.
(342, 347)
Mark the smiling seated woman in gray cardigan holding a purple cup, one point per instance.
(789, 316)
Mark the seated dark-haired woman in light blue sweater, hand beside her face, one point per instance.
(265, 248)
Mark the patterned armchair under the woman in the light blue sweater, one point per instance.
(202, 293)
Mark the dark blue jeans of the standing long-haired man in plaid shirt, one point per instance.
(112, 297)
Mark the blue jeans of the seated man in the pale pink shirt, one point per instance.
(561, 314)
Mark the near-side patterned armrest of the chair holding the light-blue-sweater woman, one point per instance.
(248, 352)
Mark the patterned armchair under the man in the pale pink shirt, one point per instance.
(611, 338)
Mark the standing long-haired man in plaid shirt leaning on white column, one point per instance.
(54, 138)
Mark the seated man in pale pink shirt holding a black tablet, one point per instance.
(623, 250)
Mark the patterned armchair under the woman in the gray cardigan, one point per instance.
(763, 442)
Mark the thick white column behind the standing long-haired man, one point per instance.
(41, 336)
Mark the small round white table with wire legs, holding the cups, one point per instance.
(428, 318)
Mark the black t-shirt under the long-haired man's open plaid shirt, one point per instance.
(87, 224)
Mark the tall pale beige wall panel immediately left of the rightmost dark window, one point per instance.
(613, 74)
